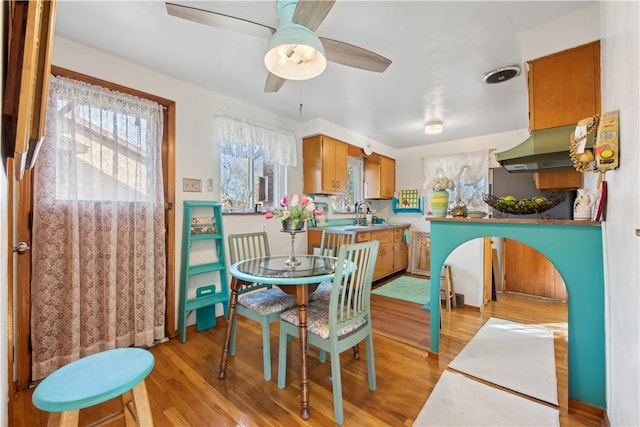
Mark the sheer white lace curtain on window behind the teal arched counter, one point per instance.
(469, 172)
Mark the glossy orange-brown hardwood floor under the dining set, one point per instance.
(184, 388)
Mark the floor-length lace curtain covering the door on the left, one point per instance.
(98, 254)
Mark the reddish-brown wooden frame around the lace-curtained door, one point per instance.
(23, 296)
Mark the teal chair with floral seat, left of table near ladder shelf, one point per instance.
(257, 301)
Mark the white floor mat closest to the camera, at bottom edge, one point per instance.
(460, 401)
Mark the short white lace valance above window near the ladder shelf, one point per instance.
(279, 146)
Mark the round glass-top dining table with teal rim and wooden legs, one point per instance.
(299, 280)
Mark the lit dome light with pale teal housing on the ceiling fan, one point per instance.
(295, 53)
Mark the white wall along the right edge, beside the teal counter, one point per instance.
(620, 47)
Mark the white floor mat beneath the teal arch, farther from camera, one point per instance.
(512, 355)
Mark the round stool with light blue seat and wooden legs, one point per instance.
(95, 379)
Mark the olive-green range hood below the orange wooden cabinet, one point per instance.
(545, 149)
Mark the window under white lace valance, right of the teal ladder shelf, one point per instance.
(247, 178)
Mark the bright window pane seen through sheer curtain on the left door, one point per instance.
(111, 148)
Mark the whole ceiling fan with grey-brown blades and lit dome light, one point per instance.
(295, 52)
